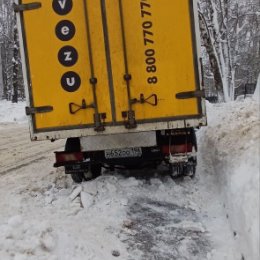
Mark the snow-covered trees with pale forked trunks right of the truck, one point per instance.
(230, 35)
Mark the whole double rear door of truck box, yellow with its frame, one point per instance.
(108, 66)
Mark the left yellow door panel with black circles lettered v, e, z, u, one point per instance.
(46, 71)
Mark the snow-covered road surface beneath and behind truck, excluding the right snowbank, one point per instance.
(117, 215)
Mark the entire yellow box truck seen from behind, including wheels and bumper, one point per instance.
(117, 78)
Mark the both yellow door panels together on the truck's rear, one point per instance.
(159, 51)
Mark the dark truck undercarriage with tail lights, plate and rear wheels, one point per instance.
(175, 148)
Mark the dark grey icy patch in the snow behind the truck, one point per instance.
(164, 230)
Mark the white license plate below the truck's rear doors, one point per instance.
(123, 153)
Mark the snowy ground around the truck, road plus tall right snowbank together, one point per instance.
(138, 216)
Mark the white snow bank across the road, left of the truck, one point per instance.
(12, 112)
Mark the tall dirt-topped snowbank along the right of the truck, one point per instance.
(231, 143)
